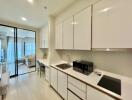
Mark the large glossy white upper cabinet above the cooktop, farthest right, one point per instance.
(112, 24)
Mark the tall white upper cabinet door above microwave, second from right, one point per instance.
(82, 30)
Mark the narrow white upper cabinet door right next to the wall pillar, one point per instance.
(58, 36)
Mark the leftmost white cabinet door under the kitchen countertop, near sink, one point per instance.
(53, 75)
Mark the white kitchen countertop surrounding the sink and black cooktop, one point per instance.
(93, 79)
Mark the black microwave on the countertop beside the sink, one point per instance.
(84, 67)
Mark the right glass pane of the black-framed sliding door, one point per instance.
(26, 51)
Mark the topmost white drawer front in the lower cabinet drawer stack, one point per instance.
(80, 85)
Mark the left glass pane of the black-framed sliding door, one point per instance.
(7, 51)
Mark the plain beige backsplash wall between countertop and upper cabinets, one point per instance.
(115, 62)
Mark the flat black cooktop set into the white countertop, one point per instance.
(111, 84)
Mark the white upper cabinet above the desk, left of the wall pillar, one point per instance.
(44, 37)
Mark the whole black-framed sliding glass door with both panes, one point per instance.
(17, 50)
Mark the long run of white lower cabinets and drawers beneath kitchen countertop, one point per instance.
(72, 89)
